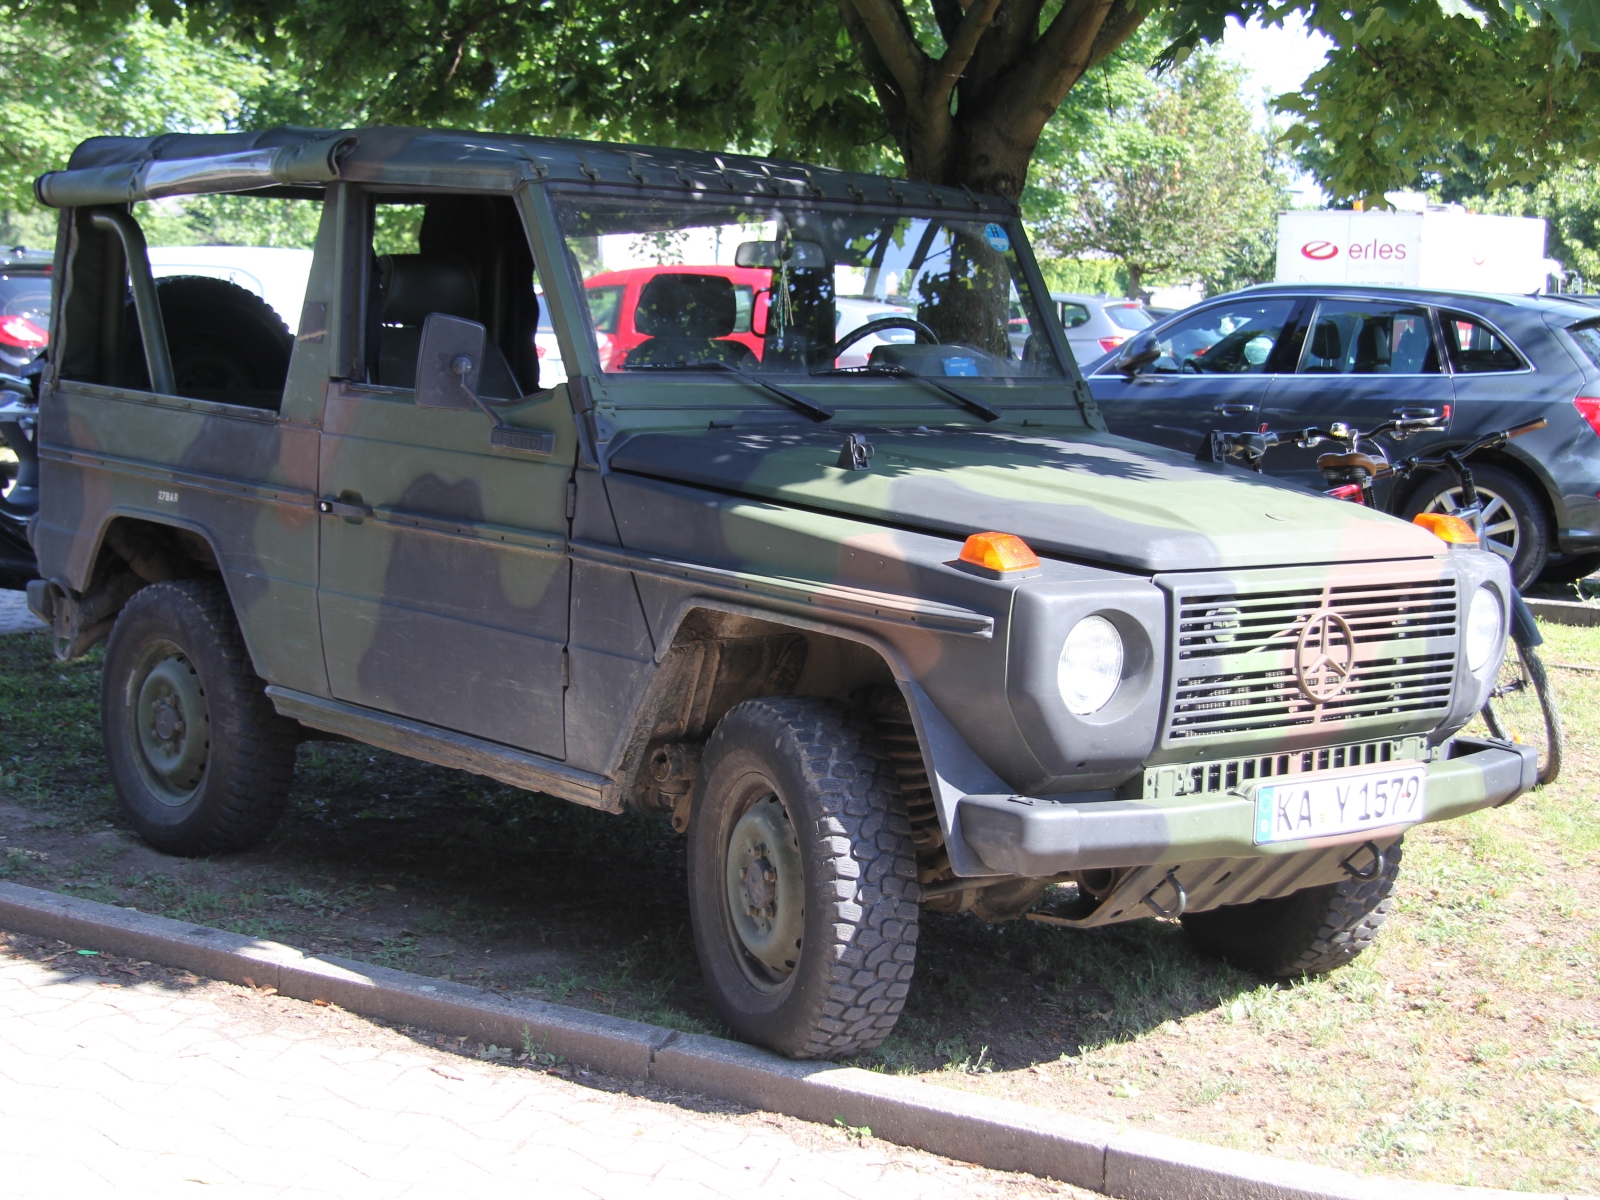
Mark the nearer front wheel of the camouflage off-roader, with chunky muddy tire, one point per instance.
(802, 879)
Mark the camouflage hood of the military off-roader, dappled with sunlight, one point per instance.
(1097, 497)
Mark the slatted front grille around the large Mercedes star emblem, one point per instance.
(1234, 652)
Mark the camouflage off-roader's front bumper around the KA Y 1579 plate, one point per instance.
(1038, 838)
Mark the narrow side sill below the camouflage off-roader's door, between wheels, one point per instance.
(446, 748)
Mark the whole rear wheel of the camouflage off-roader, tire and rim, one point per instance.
(198, 754)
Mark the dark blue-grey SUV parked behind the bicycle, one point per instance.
(1290, 356)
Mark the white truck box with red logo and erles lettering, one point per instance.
(1446, 249)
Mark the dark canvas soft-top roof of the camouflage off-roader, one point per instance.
(124, 170)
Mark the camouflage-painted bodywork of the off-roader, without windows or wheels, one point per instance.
(545, 604)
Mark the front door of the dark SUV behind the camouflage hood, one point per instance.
(1212, 374)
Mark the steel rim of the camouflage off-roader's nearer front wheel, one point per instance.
(764, 889)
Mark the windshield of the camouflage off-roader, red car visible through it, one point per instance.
(801, 289)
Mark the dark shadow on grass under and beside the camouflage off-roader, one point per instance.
(540, 895)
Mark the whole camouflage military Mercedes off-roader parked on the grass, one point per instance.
(815, 542)
